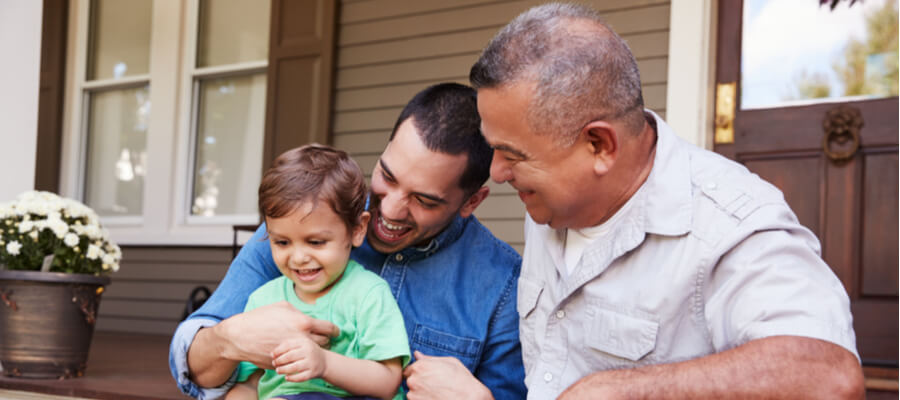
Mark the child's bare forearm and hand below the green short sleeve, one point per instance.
(301, 359)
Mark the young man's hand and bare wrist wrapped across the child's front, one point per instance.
(250, 336)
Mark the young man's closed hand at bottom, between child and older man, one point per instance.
(442, 378)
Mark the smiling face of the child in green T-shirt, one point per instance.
(311, 246)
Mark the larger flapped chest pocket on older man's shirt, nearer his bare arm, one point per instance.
(621, 335)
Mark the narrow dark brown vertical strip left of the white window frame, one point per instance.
(54, 30)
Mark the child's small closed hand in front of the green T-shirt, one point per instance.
(299, 359)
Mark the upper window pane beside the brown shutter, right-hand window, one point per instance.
(232, 31)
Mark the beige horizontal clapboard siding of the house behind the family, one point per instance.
(387, 51)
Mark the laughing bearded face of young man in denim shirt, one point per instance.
(415, 192)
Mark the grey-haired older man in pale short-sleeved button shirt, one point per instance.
(652, 268)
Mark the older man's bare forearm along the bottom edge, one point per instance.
(788, 367)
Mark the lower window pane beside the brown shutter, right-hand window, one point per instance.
(228, 159)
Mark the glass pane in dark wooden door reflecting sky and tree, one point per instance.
(798, 52)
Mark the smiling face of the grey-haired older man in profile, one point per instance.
(550, 179)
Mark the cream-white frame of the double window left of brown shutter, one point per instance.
(173, 81)
